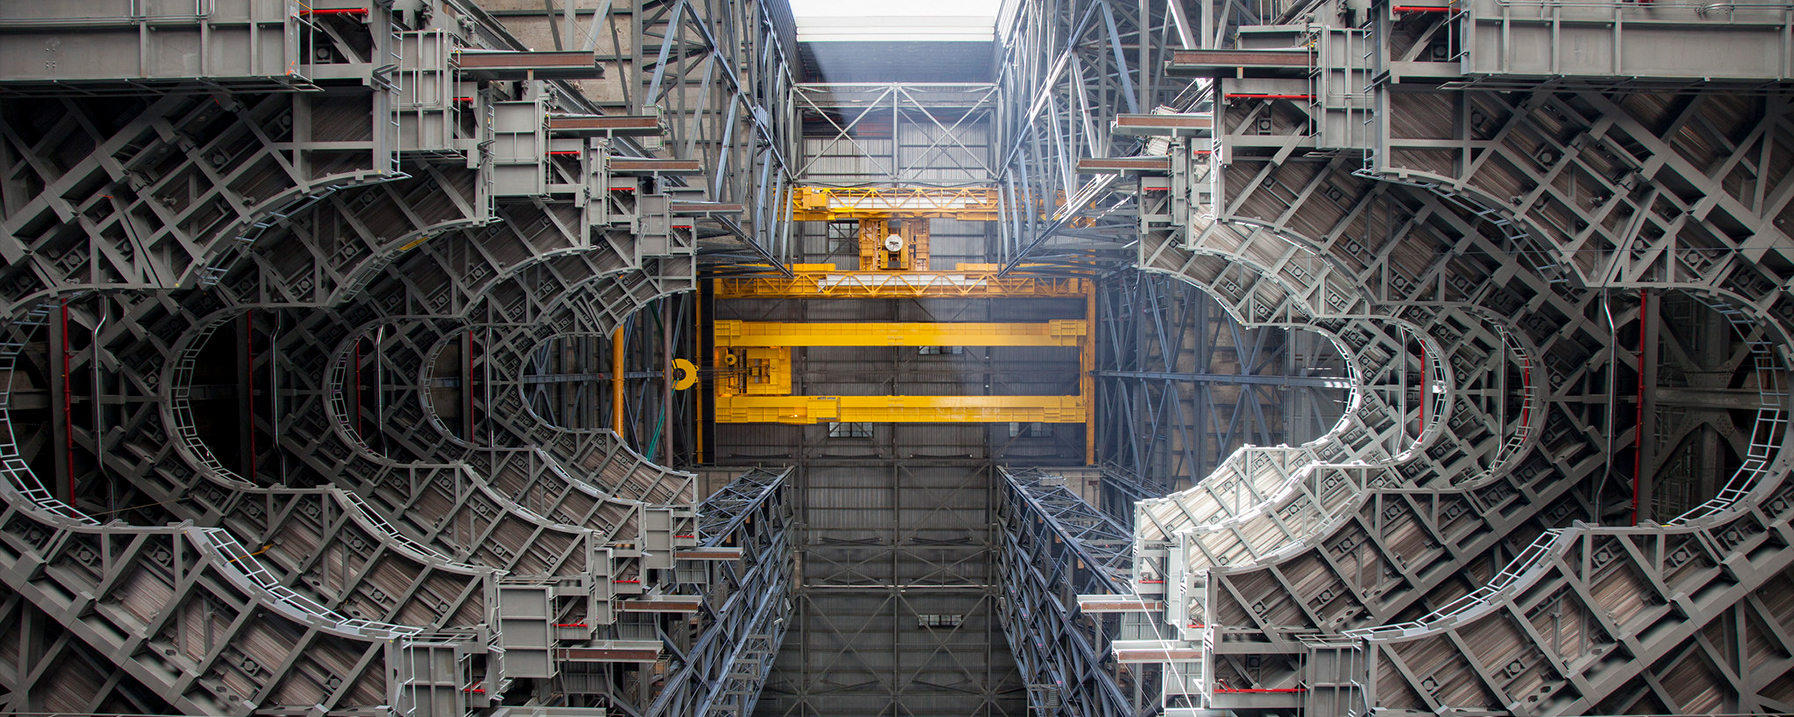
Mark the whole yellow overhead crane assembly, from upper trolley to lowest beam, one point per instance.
(754, 359)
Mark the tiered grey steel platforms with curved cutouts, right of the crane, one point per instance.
(1511, 230)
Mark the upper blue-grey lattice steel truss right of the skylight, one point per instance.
(1068, 69)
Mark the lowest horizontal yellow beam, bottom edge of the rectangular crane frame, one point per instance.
(901, 410)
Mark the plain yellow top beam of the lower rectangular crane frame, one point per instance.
(742, 334)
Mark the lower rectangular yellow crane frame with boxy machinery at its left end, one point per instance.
(758, 390)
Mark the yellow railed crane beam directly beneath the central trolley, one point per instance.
(968, 282)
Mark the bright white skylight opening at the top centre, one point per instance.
(896, 21)
